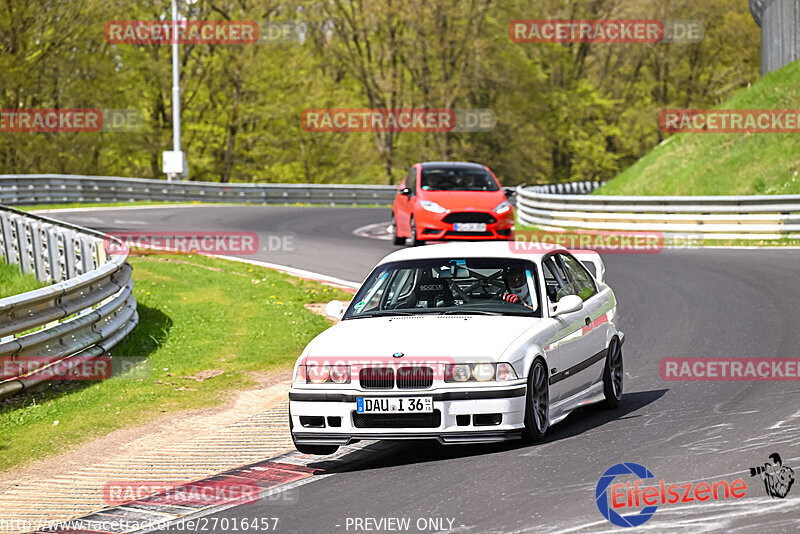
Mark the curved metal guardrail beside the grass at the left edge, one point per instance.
(87, 310)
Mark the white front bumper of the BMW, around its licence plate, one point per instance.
(507, 402)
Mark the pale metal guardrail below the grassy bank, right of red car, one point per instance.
(702, 217)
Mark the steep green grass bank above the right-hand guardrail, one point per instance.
(724, 164)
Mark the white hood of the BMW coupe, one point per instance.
(454, 338)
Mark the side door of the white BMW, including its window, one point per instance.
(569, 350)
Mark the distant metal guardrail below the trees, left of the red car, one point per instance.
(59, 188)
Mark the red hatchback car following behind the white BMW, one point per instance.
(451, 201)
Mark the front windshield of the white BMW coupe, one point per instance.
(478, 286)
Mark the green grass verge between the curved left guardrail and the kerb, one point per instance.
(196, 314)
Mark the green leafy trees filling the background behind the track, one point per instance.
(564, 111)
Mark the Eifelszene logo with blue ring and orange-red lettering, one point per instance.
(615, 498)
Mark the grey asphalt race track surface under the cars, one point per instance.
(677, 303)
